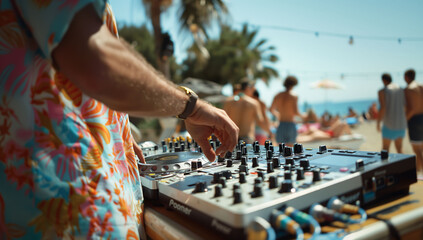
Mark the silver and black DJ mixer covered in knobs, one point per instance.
(245, 190)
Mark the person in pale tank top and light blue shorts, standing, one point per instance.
(391, 113)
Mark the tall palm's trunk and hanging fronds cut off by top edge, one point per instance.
(195, 16)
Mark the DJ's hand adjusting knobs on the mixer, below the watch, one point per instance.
(207, 120)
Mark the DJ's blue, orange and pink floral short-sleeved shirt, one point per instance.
(67, 166)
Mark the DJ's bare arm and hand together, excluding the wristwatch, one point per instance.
(108, 70)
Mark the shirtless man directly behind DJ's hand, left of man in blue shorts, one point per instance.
(245, 111)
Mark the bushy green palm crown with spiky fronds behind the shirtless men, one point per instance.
(235, 55)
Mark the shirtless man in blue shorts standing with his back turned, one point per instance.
(285, 108)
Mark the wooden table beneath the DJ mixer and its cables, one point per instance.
(404, 212)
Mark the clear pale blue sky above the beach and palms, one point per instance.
(356, 67)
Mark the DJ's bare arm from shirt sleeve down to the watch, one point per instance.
(106, 69)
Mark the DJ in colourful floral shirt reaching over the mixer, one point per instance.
(68, 161)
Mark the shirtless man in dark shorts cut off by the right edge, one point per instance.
(414, 113)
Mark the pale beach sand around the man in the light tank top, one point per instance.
(373, 138)
